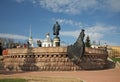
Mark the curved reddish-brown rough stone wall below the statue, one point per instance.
(46, 59)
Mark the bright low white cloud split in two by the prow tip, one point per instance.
(95, 32)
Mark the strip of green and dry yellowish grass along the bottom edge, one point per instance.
(41, 79)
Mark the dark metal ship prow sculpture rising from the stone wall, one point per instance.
(77, 50)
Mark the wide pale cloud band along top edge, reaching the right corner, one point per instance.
(76, 6)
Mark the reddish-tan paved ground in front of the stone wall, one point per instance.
(108, 75)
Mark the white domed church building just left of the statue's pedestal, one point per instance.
(47, 42)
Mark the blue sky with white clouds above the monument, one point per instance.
(99, 18)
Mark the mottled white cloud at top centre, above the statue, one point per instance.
(67, 6)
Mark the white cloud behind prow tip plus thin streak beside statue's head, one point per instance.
(96, 32)
